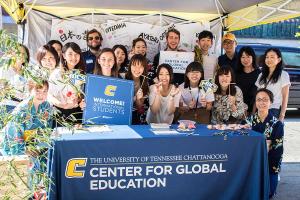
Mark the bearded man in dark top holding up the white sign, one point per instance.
(173, 40)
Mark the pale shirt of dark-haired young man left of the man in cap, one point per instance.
(209, 65)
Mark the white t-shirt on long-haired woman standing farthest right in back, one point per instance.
(276, 88)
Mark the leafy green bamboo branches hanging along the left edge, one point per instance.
(14, 183)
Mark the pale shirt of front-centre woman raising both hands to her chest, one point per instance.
(162, 116)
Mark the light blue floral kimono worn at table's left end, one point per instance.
(25, 121)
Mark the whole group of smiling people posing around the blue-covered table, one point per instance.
(244, 91)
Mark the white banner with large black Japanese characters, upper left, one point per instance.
(70, 31)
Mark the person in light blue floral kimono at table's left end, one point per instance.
(27, 132)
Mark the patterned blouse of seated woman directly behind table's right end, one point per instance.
(222, 112)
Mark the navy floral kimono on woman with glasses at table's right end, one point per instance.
(273, 129)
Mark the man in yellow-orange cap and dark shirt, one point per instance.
(230, 57)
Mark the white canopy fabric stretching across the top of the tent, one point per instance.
(188, 6)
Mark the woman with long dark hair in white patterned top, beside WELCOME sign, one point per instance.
(66, 81)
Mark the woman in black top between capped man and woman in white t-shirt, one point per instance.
(247, 73)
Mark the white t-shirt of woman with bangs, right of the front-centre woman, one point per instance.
(187, 95)
